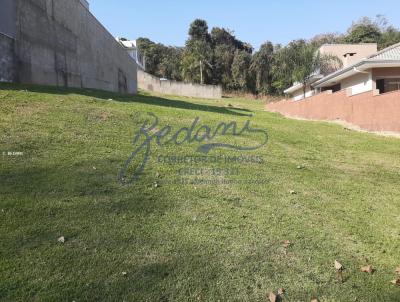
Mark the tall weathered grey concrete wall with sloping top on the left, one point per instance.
(61, 43)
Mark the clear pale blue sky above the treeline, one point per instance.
(253, 21)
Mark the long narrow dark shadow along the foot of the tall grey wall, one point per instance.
(140, 98)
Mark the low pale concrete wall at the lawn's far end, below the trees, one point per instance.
(151, 83)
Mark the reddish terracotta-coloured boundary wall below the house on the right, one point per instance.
(368, 111)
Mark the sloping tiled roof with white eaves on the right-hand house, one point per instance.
(388, 57)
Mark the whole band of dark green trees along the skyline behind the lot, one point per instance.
(218, 57)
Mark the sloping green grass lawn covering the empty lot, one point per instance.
(189, 242)
